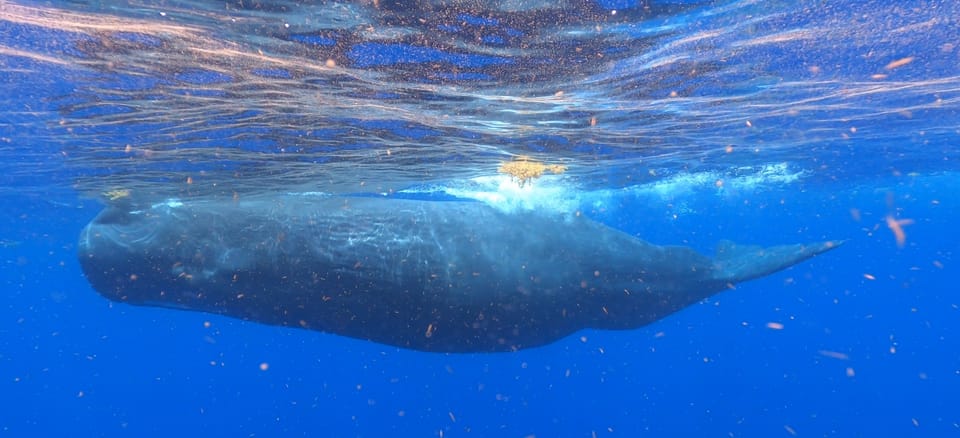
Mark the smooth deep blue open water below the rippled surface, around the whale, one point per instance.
(76, 364)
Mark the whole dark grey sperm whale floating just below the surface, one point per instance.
(435, 276)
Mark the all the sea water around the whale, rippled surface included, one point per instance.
(678, 122)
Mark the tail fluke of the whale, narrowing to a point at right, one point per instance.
(735, 263)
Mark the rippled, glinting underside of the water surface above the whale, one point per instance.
(189, 98)
